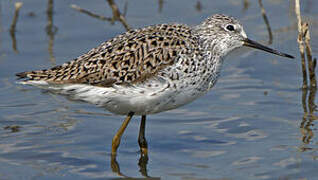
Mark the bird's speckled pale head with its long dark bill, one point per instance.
(221, 34)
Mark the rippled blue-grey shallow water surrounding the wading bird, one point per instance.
(250, 126)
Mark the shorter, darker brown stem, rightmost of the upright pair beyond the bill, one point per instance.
(311, 68)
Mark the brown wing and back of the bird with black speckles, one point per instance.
(128, 58)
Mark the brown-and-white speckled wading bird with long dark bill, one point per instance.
(148, 70)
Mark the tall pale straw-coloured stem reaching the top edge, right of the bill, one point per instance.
(301, 44)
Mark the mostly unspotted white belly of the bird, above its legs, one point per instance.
(141, 99)
